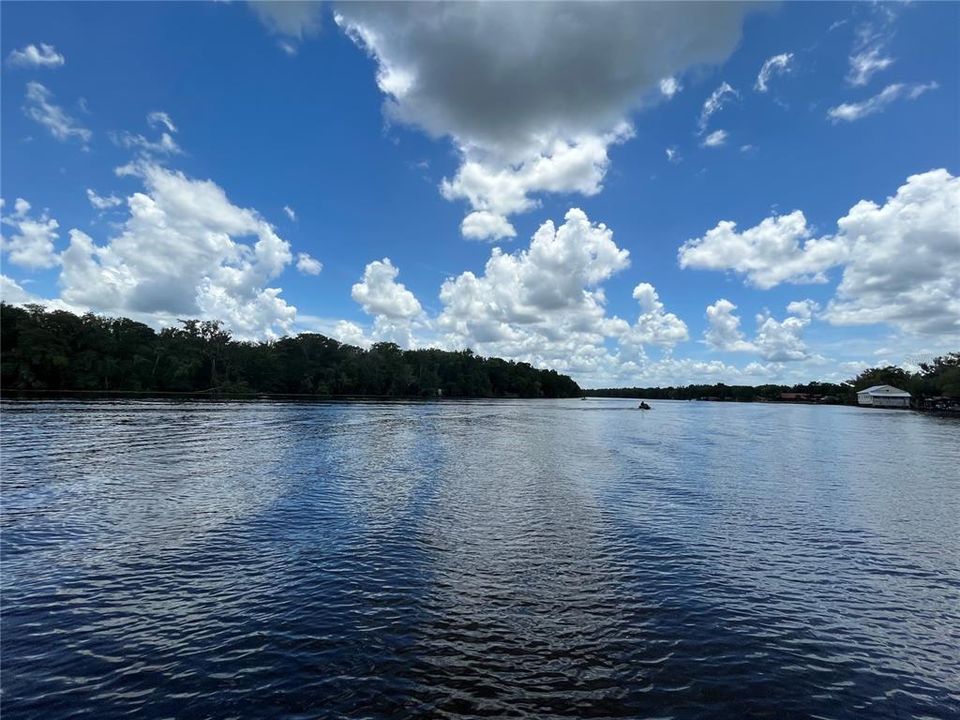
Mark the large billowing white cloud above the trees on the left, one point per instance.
(180, 254)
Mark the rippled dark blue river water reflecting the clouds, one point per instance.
(512, 559)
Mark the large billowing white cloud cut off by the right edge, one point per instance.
(904, 260)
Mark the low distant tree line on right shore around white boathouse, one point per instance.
(938, 378)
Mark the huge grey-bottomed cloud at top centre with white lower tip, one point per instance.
(464, 71)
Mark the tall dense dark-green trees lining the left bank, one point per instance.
(60, 351)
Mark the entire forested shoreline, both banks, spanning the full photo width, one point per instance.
(58, 354)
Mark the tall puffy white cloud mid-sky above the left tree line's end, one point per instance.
(544, 304)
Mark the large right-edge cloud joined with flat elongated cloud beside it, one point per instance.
(900, 261)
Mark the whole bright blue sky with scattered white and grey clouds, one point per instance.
(633, 194)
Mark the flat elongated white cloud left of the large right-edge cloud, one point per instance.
(779, 249)
